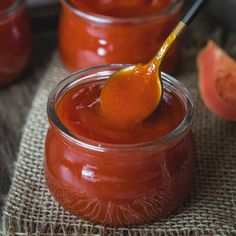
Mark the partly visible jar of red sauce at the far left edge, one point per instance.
(15, 40)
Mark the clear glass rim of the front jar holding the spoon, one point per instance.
(71, 80)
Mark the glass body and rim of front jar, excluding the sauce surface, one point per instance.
(118, 184)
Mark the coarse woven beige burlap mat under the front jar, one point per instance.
(210, 210)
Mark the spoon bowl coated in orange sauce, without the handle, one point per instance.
(131, 94)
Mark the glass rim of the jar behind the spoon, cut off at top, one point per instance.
(104, 19)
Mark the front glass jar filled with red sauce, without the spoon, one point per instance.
(115, 176)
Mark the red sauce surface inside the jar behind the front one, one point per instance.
(122, 8)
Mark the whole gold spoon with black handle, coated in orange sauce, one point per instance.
(132, 94)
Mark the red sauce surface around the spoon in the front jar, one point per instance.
(78, 110)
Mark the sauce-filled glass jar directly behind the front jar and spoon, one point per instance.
(105, 32)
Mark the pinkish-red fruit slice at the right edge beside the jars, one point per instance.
(217, 81)
